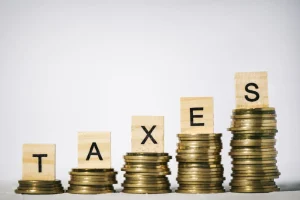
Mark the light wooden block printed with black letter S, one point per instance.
(251, 89)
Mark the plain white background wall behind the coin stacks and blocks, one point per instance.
(89, 66)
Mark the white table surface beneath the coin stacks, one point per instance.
(290, 191)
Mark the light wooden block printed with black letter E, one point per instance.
(197, 115)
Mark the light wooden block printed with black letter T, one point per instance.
(38, 162)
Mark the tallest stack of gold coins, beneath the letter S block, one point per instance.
(253, 150)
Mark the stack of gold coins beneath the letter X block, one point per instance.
(146, 173)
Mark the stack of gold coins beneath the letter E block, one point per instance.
(200, 169)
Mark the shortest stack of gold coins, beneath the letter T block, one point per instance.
(39, 187)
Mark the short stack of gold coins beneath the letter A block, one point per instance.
(92, 181)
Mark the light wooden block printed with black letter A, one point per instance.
(94, 150)
